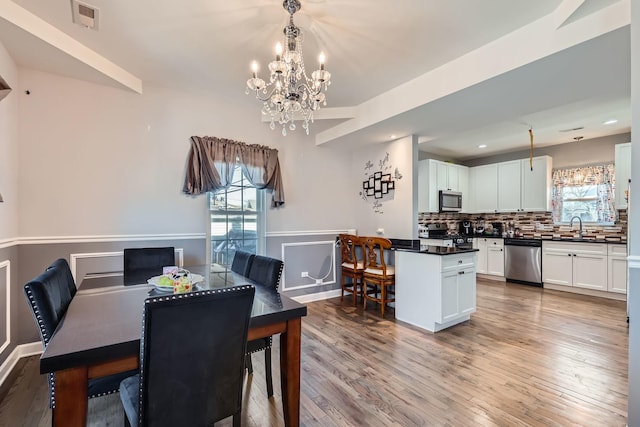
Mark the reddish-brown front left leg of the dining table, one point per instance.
(71, 398)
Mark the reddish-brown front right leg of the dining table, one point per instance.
(290, 372)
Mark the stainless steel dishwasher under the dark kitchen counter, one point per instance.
(523, 261)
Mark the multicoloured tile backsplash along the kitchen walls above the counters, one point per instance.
(534, 224)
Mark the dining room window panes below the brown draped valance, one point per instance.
(237, 219)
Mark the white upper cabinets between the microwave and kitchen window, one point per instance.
(512, 186)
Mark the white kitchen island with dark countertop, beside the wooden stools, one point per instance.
(435, 286)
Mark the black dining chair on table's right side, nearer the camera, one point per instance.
(264, 272)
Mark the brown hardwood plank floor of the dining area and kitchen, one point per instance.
(527, 357)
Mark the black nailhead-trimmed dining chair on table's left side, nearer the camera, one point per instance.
(49, 297)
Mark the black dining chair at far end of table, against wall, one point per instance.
(142, 263)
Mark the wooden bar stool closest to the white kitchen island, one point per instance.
(378, 277)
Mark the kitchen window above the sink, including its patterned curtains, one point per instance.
(586, 193)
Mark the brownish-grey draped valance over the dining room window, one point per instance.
(211, 161)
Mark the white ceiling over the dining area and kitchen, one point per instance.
(372, 48)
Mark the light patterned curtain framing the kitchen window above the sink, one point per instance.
(602, 176)
